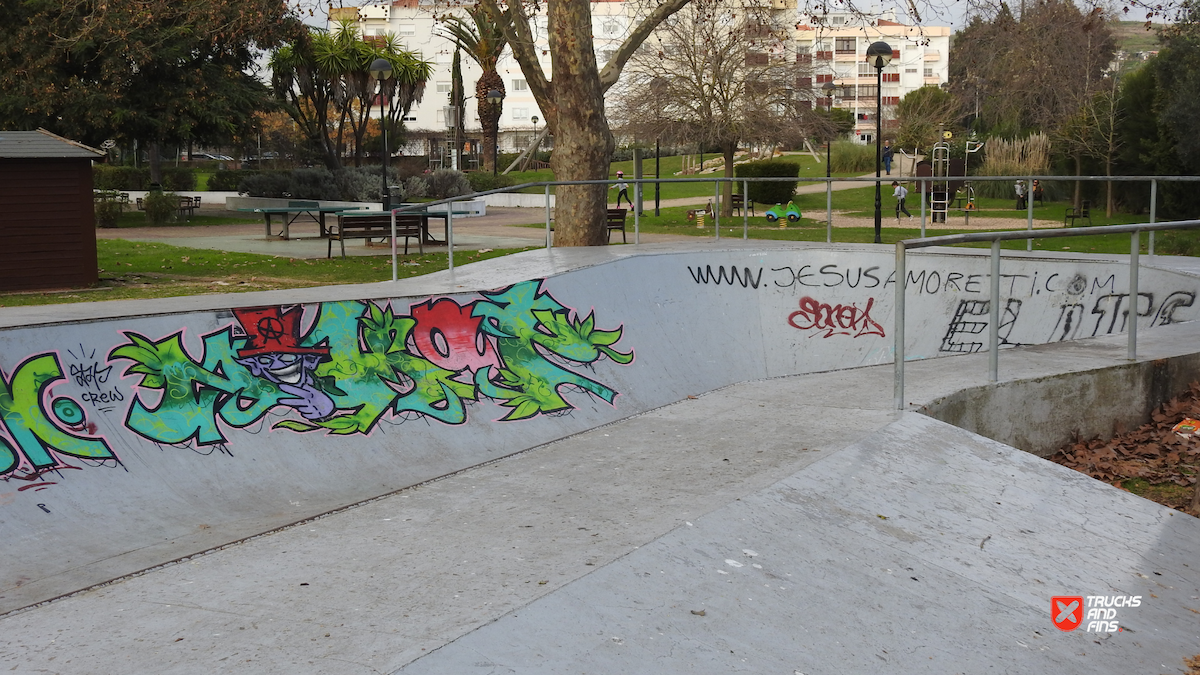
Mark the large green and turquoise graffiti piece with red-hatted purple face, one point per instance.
(359, 362)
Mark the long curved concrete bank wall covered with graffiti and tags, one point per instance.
(136, 434)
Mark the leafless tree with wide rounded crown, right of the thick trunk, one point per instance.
(717, 75)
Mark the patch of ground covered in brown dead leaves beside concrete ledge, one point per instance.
(1151, 462)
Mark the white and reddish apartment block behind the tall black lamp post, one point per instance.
(836, 49)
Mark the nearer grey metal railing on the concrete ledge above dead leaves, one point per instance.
(995, 238)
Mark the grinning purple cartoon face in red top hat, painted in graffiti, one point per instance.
(274, 353)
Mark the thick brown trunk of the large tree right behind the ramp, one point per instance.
(583, 140)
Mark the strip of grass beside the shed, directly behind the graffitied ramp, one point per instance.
(139, 271)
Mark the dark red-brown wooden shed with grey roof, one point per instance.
(47, 219)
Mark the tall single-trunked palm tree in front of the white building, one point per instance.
(484, 43)
